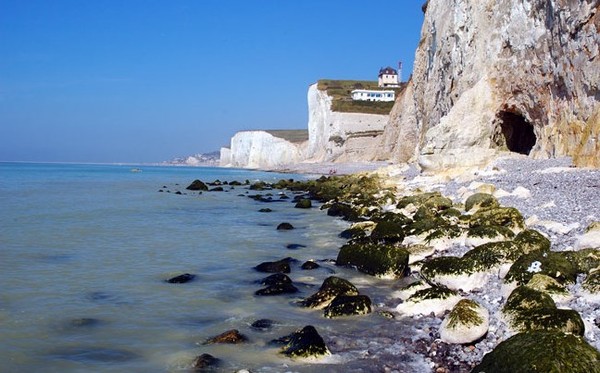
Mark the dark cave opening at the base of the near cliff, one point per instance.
(517, 132)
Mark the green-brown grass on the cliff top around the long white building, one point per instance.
(341, 90)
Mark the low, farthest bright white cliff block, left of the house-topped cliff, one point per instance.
(260, 149)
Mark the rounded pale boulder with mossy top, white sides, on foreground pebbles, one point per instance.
(467, 322)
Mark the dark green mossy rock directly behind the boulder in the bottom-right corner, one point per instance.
(529, 309)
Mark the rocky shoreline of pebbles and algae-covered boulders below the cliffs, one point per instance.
(484, 262)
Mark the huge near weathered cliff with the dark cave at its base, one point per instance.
(490, 75)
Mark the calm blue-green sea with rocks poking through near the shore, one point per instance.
(86, 249)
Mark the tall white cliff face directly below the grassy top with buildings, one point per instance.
(340, 137)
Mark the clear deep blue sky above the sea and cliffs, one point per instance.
(148, 80)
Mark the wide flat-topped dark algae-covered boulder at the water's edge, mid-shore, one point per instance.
(375, 259)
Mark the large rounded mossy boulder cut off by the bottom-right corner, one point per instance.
(541, 352)
